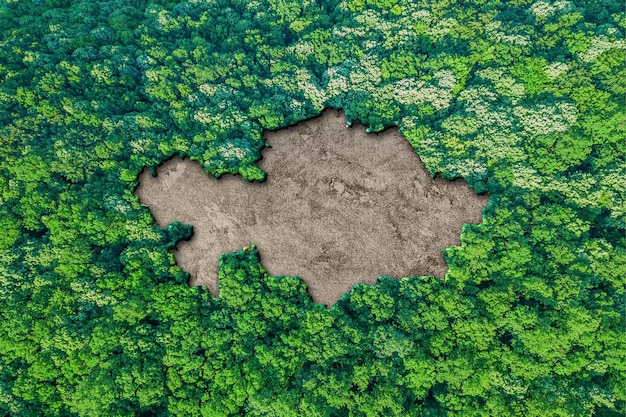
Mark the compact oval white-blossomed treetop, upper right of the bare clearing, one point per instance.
(545, 120)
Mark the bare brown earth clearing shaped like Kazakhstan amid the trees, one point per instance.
(339, 207)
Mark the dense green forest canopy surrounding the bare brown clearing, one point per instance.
(523, 99)
